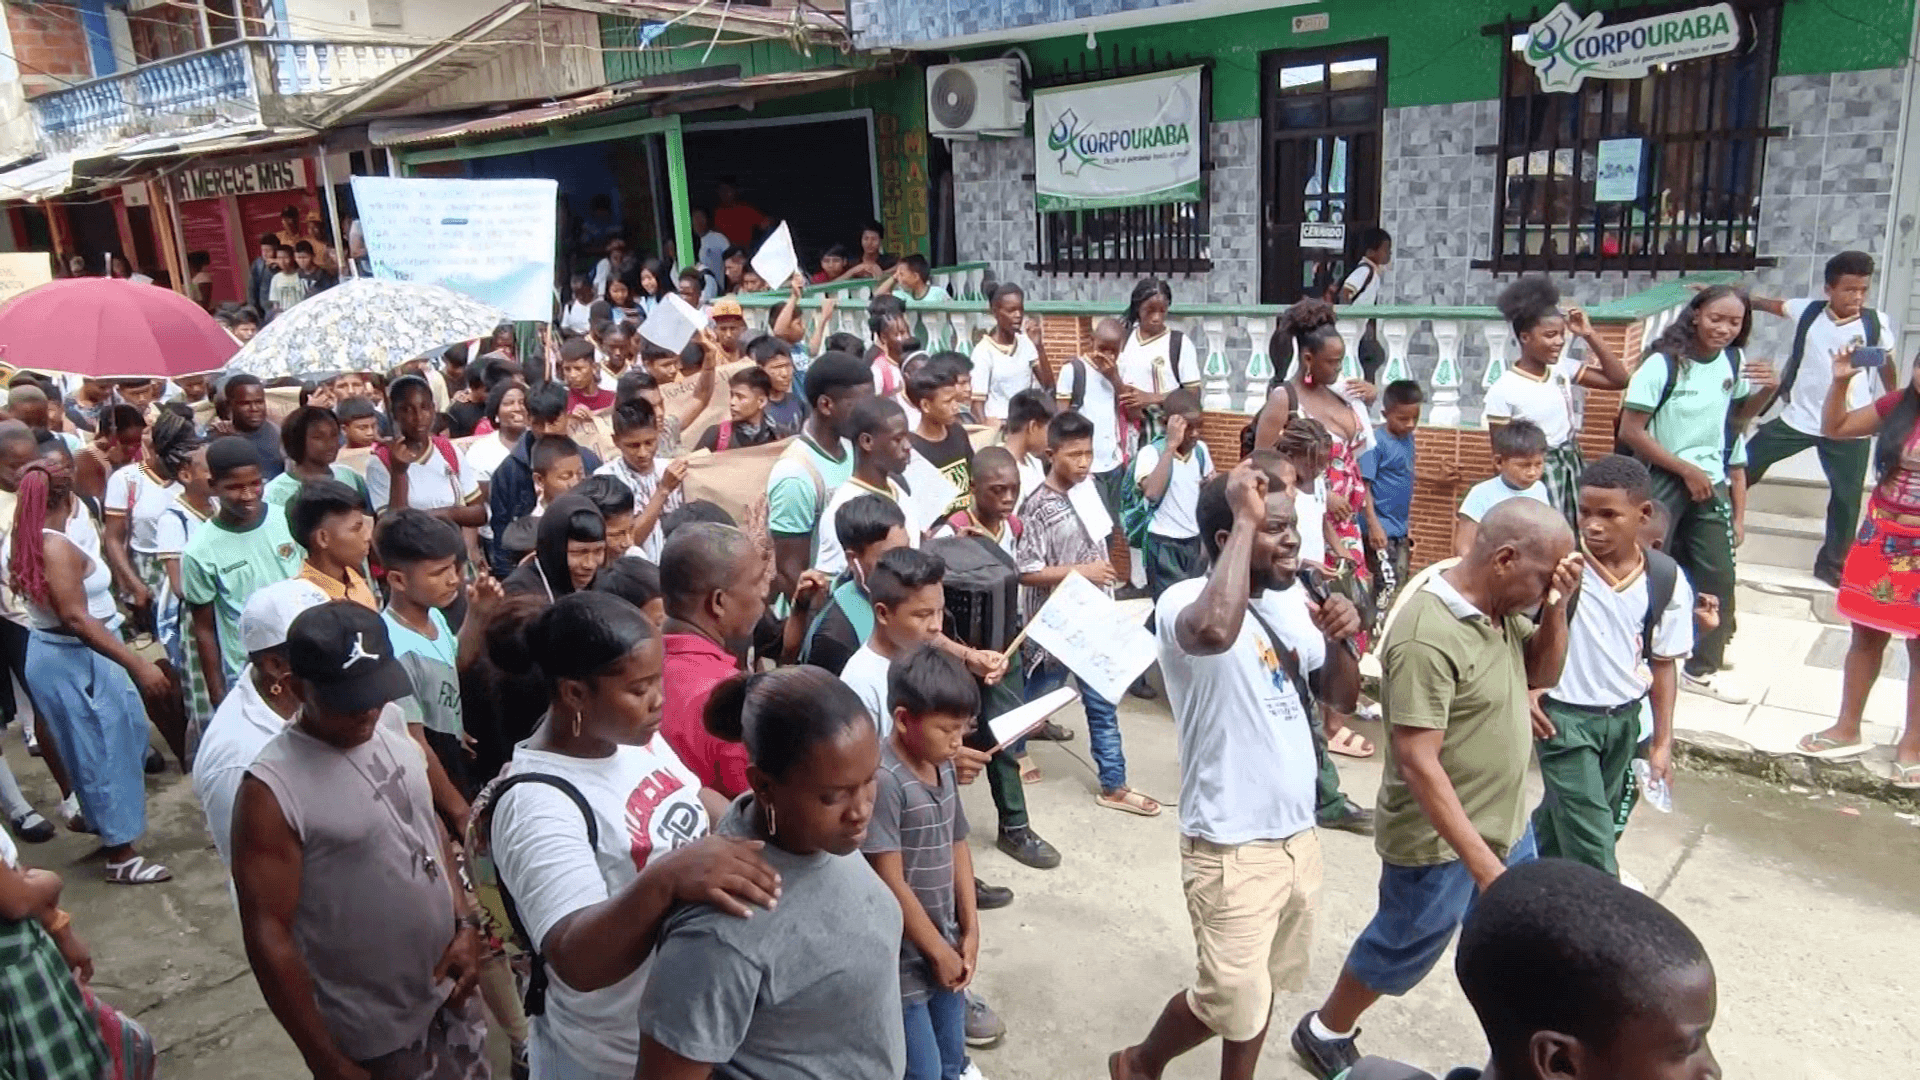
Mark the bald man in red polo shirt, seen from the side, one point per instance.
(713, 585)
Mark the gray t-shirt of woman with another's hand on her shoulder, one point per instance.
(807, 991)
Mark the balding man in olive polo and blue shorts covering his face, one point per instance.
(1452, 808)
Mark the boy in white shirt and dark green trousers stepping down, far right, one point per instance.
(1823, 331)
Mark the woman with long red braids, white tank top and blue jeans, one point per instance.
(85, 681)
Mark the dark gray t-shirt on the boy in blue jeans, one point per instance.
(923, 825)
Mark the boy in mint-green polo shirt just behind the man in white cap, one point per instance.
(241, 551)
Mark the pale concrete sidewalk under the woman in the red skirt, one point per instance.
(1787, 658)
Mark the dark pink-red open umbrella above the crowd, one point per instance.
(105, 328)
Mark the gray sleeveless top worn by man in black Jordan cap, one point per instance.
(375, 908)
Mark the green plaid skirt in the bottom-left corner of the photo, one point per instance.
(47, 1033)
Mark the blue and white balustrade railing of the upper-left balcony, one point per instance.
(237, 86)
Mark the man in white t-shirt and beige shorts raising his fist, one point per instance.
(1251, 860)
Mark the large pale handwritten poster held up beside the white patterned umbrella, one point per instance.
(485, 239)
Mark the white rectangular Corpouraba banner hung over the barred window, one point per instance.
(1120, 143)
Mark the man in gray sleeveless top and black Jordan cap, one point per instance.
(352, 920)
